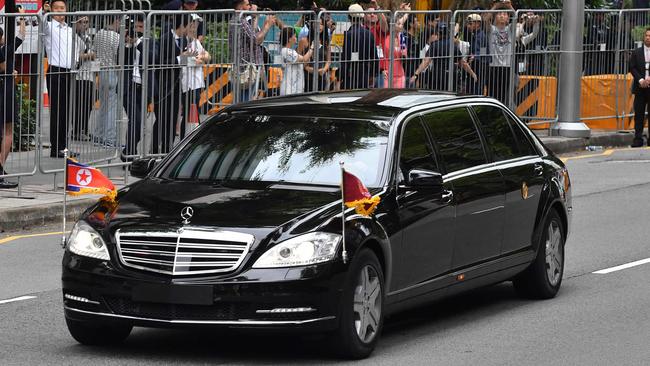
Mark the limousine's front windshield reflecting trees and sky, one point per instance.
(302, 150)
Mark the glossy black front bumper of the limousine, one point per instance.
(301, 298)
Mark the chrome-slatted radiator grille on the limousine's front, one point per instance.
(203, 233)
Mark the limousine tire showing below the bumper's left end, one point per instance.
(97, 334)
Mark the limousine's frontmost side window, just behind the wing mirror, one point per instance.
(416, 152)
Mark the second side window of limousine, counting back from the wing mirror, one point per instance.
(456, 137)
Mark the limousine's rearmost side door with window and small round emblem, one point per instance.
(522, 170)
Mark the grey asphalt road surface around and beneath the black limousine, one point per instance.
(597, 319)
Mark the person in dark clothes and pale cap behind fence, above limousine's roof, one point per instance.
(359, 61)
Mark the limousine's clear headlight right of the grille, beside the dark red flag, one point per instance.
(316, 247)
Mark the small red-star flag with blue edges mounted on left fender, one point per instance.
(83, 179)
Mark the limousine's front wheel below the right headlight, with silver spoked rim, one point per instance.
(362, 312)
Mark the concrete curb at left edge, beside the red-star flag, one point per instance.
(31, 216)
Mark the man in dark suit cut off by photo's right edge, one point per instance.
(640, 70)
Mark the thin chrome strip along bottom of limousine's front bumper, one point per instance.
(209, 322)
